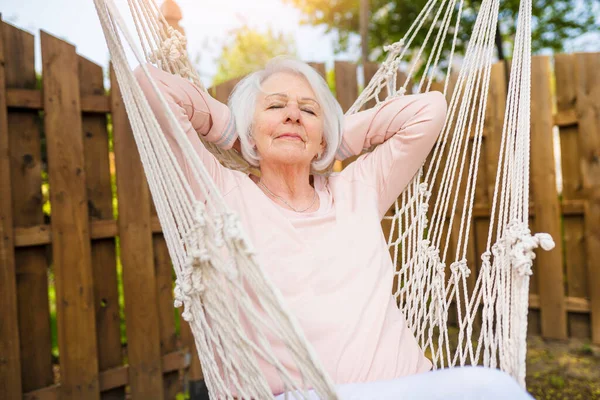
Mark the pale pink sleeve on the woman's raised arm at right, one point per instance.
(405, 130)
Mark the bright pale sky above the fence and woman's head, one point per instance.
(206, 23)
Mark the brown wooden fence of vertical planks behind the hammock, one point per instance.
(94, 255)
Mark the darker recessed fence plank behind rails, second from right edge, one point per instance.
(575, 257)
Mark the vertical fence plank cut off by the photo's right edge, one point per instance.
(588, 106)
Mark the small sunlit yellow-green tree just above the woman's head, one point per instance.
(248, 50)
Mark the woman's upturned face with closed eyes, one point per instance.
(288, 121)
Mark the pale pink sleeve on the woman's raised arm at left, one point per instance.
(197, 113)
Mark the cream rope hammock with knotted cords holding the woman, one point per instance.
(218, 277)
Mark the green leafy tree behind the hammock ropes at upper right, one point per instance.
(554, 21)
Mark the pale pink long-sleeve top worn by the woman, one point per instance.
(332, 266)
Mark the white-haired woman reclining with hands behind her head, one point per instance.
(319, 236)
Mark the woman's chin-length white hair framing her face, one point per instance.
(242, 103)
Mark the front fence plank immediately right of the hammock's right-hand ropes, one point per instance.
(547, 211)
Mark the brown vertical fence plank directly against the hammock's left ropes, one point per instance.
(139, 280)
